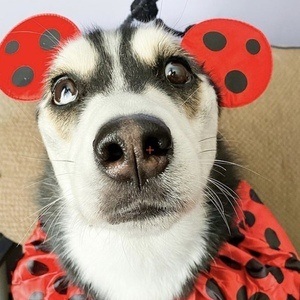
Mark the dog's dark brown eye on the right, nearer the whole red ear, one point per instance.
(177, 73)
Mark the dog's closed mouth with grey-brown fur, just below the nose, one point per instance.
(122, 203)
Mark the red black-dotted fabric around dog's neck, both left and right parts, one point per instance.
(259, 262)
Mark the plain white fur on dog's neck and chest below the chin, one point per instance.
(134, 268)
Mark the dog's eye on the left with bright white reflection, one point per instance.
(64, 91)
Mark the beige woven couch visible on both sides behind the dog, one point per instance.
(265, 135)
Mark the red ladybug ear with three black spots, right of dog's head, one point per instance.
(236, 55)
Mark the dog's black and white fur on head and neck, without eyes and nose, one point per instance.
(121, 73)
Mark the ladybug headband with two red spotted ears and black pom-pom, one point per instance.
(236, 55)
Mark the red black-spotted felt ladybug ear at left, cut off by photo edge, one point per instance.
(26, 53)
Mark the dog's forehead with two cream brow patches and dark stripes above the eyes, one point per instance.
(83, 54)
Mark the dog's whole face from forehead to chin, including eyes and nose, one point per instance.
(129, 121)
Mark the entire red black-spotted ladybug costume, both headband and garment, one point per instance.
(258, 261)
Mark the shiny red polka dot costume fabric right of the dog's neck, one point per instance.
(254, 263)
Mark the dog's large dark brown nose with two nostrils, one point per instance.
(133, 148)
